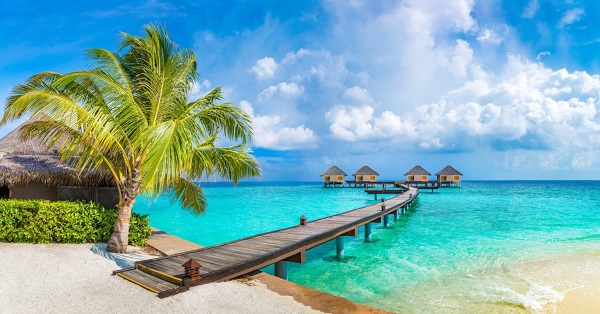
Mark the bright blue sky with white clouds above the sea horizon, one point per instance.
(498, 89)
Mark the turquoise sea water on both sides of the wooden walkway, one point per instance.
(467, 249)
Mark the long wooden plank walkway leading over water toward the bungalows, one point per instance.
(165, 275)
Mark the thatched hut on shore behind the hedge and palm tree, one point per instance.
(29, 171)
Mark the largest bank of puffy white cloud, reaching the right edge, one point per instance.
(527, 107)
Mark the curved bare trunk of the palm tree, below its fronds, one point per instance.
(120, 236)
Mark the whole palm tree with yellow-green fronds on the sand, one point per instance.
(130, 116)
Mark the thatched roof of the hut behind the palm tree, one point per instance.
(22, 162)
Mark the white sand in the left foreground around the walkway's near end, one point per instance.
(76, 278)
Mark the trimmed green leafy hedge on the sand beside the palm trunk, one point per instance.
(41, 221)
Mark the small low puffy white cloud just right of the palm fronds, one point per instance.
(271, 133)
